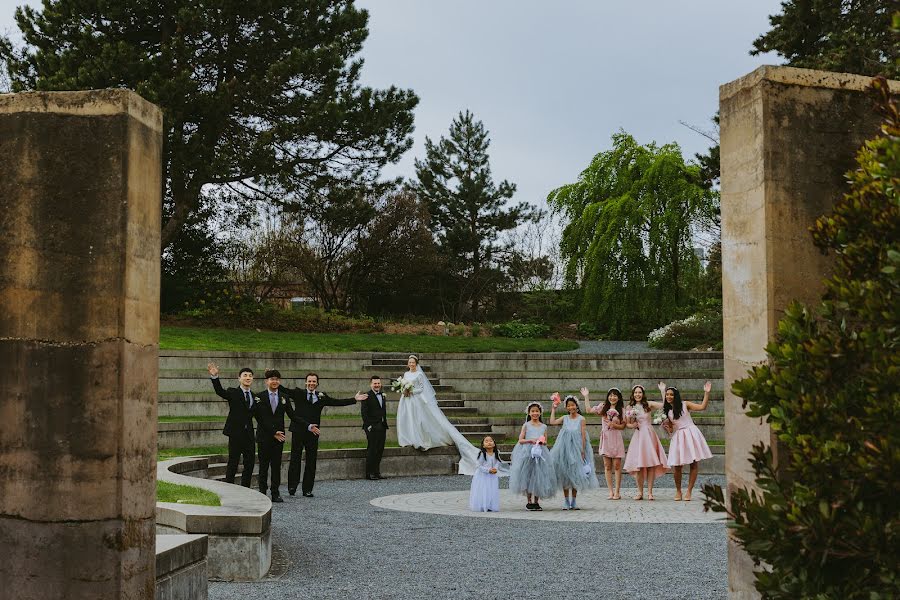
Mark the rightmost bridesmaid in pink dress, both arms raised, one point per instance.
(688, 446)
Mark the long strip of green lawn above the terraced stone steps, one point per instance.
(250, 340)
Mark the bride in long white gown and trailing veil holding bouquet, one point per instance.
(421, 424)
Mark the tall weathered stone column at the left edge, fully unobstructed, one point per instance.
(79, 332)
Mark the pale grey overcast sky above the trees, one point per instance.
(552, 81)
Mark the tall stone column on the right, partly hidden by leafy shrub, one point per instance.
(788, 136)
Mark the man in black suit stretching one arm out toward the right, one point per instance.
(308, 405)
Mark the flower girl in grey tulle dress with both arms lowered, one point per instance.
(532, 472)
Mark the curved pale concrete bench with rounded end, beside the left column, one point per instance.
(240, 530)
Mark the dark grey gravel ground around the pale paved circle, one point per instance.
(340, 546)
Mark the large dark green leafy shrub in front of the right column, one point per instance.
(825, 523)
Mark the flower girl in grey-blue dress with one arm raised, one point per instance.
(571, 454)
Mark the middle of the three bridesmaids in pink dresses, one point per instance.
(646, 458)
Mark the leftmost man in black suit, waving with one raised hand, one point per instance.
(239, 424)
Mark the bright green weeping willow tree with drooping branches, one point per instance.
(628, 242)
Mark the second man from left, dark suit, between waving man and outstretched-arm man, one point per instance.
(269, 411)
